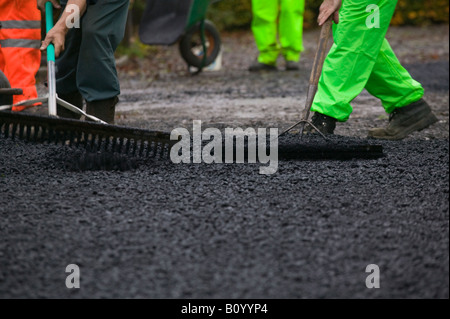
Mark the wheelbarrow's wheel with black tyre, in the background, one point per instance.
(191, 48)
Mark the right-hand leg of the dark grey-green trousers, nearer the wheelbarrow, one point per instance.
(103, 27)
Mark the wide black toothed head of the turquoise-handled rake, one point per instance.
(93, 136)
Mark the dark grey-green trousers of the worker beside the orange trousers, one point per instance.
(87, 64)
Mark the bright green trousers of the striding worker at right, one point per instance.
(361, 58)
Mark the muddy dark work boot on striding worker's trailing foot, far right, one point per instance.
(405, 120)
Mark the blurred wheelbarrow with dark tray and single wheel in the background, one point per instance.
(166, 22)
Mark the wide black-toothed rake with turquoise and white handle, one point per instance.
(94, 134)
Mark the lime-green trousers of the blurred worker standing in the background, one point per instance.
(282, 18)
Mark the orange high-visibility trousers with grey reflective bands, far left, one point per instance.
(20, 39)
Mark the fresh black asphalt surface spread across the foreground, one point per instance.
(224, 231)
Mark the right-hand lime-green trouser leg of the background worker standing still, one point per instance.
(291, 28)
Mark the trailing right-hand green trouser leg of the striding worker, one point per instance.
(391, 83)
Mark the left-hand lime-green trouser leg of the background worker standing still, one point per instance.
(264, 27)
